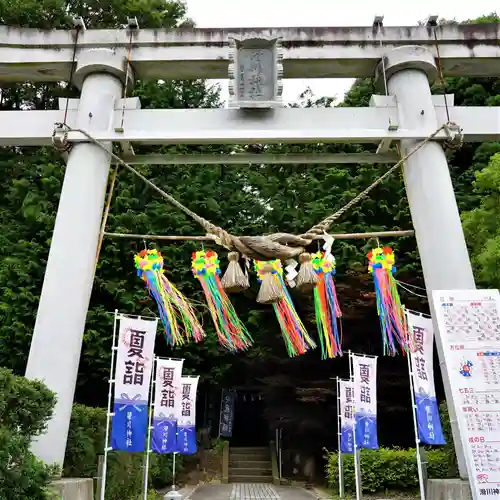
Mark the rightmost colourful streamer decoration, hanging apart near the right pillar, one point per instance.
(389, 308)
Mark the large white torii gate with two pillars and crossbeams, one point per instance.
(402, 57)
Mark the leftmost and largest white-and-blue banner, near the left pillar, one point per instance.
(134, 364)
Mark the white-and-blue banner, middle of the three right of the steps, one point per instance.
(365, 401)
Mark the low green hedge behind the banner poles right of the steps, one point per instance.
(387, 469)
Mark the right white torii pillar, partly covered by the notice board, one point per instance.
(434, 212)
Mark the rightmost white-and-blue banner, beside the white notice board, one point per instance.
(422, 373)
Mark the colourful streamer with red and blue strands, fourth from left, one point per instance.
(326, 305)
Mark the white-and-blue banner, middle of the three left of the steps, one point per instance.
(167, 405)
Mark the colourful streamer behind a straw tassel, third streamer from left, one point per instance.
(294, 334)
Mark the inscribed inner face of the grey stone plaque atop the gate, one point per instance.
(256, 74)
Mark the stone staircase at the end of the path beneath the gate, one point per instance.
(250, 465)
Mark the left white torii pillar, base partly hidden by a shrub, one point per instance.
(57, 338)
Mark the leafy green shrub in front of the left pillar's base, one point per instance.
(25, 407)
